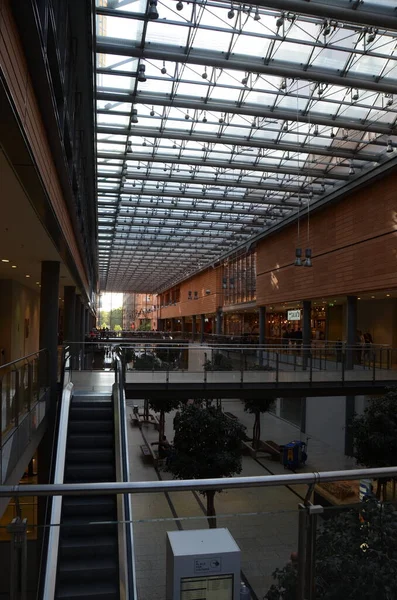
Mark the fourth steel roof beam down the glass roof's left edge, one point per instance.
(229, 166)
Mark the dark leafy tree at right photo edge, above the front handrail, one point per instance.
(375, 435)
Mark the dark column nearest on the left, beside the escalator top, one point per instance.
(49, 321)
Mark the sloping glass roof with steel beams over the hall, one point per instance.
(217, 122)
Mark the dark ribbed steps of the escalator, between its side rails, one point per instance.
(88, 565)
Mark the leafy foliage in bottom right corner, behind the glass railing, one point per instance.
(356, 558)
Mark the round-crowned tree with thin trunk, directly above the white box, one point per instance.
(206, 445)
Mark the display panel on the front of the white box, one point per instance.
(215, 587)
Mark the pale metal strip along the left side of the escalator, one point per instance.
(55, 521)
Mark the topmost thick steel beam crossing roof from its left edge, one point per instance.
(107, 45)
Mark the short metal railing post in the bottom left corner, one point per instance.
(18, 567)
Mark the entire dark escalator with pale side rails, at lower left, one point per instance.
(89, 548)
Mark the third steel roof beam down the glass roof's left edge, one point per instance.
(175, 134)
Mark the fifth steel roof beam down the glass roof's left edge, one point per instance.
(221, 183)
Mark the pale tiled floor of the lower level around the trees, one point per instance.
(266, 535)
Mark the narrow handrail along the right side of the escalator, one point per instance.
(131, 592)
